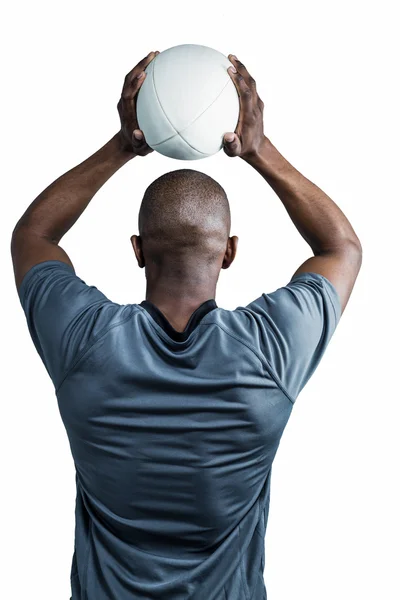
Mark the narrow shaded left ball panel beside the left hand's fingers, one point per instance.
(150, 115)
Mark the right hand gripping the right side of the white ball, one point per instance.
(249, 134)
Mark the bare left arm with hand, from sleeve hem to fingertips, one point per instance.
(38, 232)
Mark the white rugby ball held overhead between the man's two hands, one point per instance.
(187, 102)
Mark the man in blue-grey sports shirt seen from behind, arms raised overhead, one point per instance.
(174, 407)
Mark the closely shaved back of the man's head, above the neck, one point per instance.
(184, 219)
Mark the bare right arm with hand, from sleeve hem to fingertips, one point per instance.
(336, 248)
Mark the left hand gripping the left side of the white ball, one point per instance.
(131, 136)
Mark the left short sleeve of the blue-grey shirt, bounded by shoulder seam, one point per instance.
(63, 314)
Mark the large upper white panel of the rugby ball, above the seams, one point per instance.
(188, 78)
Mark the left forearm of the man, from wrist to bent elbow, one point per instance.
(58, 207)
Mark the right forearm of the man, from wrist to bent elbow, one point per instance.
(316, 216)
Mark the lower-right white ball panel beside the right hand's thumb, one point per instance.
(207, 132)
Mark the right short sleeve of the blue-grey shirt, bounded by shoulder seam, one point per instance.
(292, 327)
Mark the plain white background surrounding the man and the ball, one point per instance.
(328, 76)
